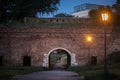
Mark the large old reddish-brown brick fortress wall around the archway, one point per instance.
(40, 42)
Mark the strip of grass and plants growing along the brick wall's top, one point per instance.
(34, 22)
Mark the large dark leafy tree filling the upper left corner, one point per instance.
(18, 9)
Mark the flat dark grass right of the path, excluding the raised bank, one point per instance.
(96, 72)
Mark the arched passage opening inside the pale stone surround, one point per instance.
(59, 59)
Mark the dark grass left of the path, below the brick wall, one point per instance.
(7, 73)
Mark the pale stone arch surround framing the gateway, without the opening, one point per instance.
(72, 56)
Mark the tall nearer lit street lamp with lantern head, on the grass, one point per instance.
(104, 19)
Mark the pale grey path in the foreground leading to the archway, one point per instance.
(51, 75)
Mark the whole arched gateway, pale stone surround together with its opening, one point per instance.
(60, 56)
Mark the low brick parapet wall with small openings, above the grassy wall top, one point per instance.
(55, 20)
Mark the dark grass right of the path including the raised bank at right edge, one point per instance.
(96, 72)
